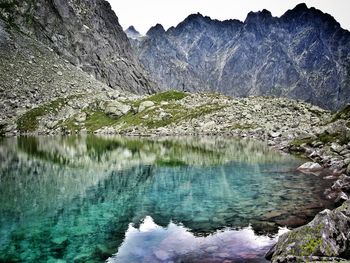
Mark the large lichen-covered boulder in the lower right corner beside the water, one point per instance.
(325, 236)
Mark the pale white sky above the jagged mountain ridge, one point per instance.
(144, 14)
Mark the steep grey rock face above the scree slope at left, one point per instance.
(86, 33)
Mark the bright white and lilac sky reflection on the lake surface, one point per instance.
(175, 243)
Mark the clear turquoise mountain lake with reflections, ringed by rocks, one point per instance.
(115, 199)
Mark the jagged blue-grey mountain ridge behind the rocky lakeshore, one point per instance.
(304, 54)
